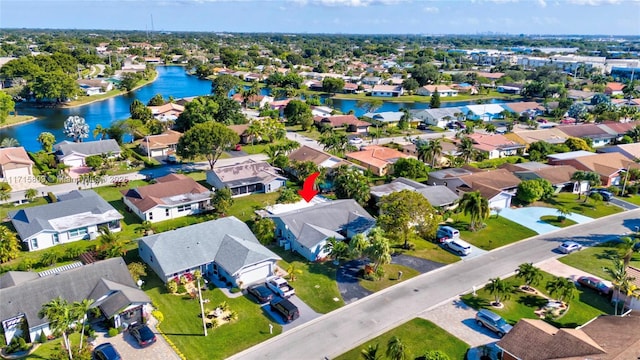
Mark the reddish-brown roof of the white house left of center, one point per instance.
(150, 196)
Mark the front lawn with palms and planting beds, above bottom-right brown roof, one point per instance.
(586, 305)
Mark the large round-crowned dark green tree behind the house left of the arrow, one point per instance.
(208, 139)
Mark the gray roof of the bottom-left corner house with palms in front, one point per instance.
(72, 285)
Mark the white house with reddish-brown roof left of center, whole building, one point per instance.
(172, 196)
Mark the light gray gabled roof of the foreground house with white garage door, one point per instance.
(227, 241)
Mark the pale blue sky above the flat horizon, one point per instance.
(611, 17)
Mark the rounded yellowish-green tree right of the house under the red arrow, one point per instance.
(404, 212)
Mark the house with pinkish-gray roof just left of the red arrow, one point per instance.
(245, 178)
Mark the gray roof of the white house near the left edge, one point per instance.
(74, 210)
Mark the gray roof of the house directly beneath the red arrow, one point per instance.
(332, 216)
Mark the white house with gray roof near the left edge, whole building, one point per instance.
(77, 215)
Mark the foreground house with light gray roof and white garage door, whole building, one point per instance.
(223, 249)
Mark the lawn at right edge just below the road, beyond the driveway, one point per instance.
(595, 259)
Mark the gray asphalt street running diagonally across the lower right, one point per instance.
(341, 330)
